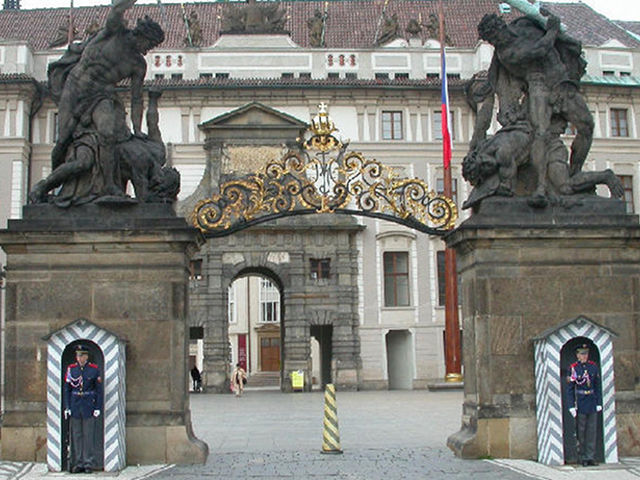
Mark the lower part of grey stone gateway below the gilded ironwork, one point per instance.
(284, 253)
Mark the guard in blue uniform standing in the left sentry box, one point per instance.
(83, 404)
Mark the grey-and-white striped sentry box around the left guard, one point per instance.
(113, 350)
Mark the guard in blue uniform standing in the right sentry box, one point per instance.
(584, 401)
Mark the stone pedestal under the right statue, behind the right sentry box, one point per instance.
(524, 271)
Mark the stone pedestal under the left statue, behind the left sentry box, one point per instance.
(124, 268)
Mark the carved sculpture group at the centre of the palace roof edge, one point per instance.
(253, 18)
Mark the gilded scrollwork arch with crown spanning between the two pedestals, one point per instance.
(323, 177)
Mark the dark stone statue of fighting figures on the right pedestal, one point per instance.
(535, 74)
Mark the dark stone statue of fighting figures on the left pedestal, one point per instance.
(96, 154)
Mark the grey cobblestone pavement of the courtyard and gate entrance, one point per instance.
(385, 435)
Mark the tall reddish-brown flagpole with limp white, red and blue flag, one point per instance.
(452, 351)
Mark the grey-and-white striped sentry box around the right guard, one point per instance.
(547, 348)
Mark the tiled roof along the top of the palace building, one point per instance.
(350, 23)
